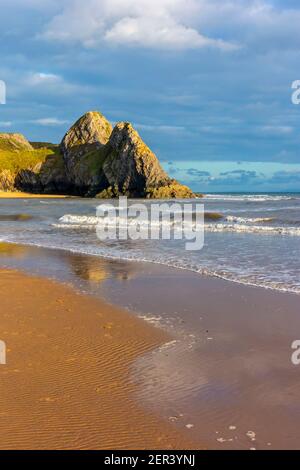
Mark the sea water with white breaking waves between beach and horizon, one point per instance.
(257, 242)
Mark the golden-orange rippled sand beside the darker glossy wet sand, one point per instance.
(67, 382)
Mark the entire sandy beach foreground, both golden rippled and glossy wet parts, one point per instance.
(209, 368)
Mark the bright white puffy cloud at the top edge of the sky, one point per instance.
(163, 24)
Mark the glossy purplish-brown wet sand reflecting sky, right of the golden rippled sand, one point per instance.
(232, 375)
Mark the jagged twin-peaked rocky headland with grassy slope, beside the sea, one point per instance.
(93, 159)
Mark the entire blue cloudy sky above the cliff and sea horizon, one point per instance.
(207, 83)
